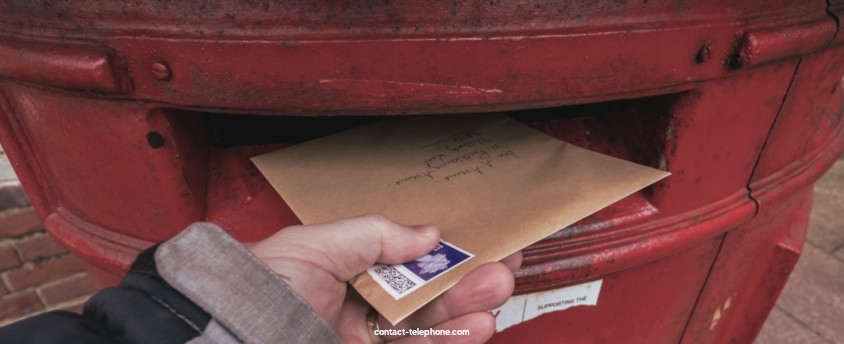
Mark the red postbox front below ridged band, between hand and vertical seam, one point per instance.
(654, 312)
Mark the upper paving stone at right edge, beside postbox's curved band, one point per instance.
(826, 230)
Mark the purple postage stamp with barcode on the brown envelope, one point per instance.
(402, 279)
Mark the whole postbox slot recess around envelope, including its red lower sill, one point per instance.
(216, 148)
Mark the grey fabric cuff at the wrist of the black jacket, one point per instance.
(247, 301)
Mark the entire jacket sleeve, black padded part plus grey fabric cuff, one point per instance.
(201, 286)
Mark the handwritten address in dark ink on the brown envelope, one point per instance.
(466, 153)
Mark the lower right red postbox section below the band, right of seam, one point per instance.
(735, 301)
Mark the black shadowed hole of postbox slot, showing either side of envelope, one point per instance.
(630, 129)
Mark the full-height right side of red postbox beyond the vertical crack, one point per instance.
(798, 149)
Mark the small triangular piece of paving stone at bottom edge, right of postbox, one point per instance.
(782, 329)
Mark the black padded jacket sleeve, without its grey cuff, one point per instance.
(142, 309)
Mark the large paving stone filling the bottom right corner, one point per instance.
(814, 294)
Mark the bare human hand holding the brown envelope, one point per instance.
(318, 260)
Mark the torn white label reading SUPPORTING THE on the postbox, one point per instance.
(521, 308)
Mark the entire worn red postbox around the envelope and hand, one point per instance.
(128, 120)
